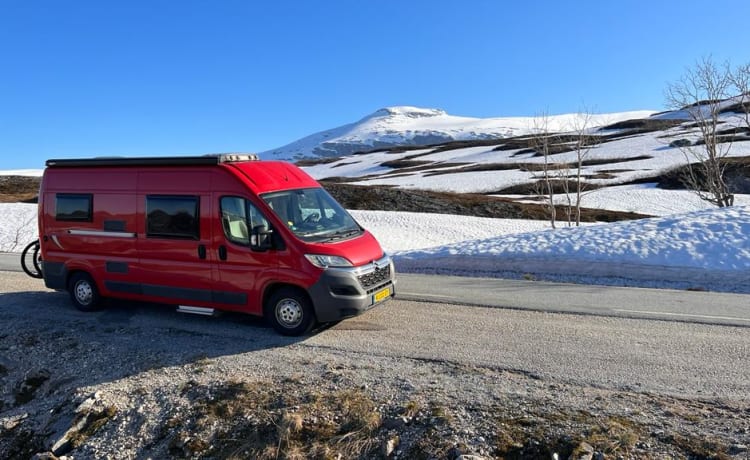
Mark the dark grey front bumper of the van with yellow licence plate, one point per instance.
(345, 292)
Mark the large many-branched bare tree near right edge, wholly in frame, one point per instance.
(701, 92)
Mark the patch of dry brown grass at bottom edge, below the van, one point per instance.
(265, 421)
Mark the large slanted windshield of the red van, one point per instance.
(313, 215)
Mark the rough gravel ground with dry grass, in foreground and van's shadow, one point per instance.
(137, 381)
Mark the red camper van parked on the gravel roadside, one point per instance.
(221, 232)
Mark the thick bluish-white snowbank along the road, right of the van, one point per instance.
(706, 249)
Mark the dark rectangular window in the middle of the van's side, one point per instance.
(173, 216)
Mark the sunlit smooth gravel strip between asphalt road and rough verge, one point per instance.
(686, 359)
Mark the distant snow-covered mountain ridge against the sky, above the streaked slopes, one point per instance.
(404, 125)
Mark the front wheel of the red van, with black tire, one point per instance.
(290, 312)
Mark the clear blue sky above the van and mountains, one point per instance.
(148, 77)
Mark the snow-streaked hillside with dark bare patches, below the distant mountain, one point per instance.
(623, 158)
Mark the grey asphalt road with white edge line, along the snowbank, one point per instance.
(663, 304)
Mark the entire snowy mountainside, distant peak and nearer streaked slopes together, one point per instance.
(630, 157)
